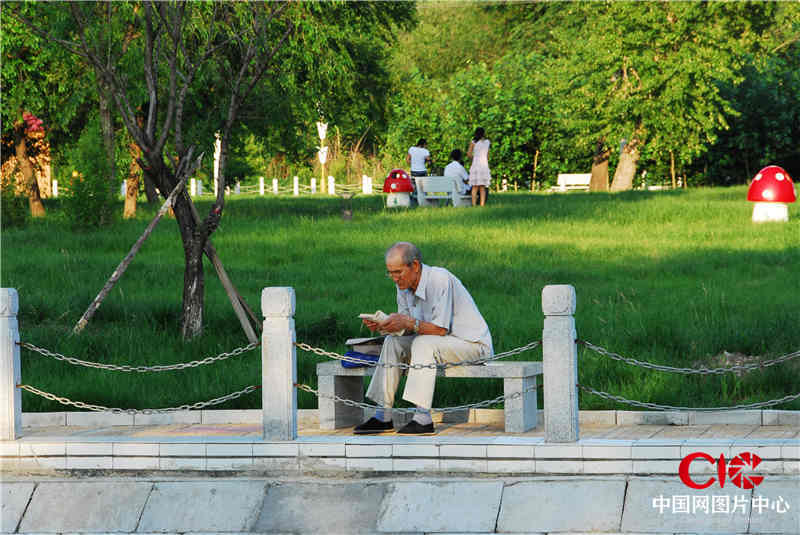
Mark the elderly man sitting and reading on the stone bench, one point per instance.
(440, 323)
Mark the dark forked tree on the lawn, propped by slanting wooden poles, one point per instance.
(180, 39)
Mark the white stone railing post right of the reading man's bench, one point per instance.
(560, 360)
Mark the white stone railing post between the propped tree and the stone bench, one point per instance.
(278, 364)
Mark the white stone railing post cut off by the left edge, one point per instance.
(10, 373)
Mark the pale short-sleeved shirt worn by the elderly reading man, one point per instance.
(443, 300)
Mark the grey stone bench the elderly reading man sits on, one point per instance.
(521, 413)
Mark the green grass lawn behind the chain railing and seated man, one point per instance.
(674, 278)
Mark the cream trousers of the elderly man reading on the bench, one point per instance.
(421, 349)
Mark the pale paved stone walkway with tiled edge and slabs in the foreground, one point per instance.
(468, 478)
